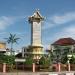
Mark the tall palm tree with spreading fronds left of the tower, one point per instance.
(11, 40)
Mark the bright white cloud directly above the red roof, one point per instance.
(66, 32)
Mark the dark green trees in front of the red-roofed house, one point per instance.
(60, 53)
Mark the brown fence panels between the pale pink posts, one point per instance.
(39, 68)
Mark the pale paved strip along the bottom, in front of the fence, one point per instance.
(40, 73)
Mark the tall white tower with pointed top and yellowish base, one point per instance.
(36, 41)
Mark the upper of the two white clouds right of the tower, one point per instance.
(61, 19)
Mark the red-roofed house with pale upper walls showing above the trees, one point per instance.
(64, 42)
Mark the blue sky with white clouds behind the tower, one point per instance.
(59, 20)
